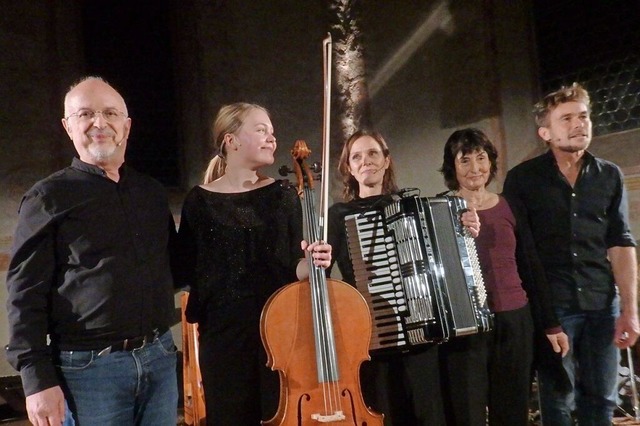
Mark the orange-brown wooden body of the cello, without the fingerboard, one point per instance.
(286, 329)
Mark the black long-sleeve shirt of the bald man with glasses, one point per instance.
(89, 268)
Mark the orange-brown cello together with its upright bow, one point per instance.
(316, 332)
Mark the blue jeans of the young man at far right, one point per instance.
(592, 369)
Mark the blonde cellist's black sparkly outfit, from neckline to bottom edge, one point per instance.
(235, 251)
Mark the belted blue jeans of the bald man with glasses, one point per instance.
(122, 388)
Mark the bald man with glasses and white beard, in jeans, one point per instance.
(90, 292)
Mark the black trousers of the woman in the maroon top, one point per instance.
(489, 372)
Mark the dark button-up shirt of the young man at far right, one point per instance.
(574, 227)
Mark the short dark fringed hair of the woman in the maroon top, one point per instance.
(466, 141)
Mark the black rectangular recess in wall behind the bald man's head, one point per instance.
(130, 44)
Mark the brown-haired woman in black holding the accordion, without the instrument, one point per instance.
(405, 386)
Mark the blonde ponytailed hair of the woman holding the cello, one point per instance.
(229, 119)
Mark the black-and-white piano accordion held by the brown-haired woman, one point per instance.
(418, 269)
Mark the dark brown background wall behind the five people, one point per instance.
(433, 66)
